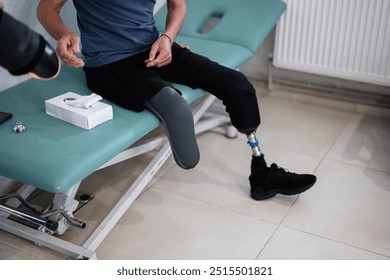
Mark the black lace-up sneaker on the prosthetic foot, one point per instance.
(266, 182)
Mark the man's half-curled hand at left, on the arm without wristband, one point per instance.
(68, 47)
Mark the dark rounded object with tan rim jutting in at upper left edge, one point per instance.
(23, 51)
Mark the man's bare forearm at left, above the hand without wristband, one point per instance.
(48, 14)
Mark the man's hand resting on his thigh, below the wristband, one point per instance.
(160, 53)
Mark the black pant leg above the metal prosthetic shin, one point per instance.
(228, 85)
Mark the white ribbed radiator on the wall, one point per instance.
(347, 39)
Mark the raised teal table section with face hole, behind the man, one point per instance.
(244, 23)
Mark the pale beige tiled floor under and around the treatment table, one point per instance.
(207, 213)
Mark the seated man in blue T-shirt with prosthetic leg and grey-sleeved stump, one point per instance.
(127, 61)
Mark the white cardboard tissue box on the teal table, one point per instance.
(85, 118)
